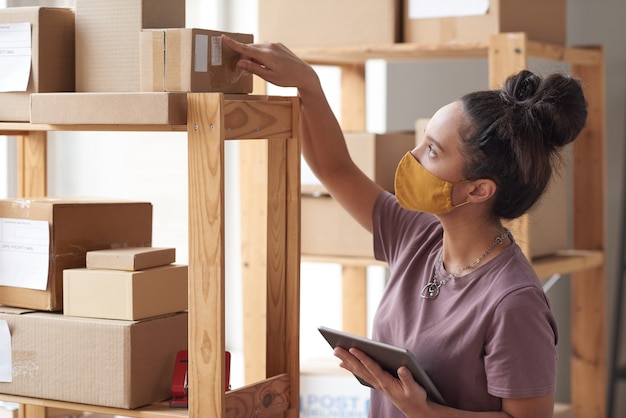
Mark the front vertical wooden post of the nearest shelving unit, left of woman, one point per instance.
(205, 126)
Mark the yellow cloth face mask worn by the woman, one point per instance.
(418, 190)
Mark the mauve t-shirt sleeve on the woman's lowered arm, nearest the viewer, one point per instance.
(520, 351)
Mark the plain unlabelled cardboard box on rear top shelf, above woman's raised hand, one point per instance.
(303, 23)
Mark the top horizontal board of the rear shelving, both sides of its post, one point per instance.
(347, 55)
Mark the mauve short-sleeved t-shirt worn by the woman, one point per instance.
(490, 334)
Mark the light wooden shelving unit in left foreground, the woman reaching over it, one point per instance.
(213, 118)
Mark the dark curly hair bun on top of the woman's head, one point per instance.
(554, 105)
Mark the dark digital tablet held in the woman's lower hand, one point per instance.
(389, 357)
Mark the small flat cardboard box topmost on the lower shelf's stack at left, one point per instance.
(132, 259)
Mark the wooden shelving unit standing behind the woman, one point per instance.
(506, 54)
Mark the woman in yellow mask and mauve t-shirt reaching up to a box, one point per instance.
(461, 295)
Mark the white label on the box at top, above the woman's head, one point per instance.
(423, 9)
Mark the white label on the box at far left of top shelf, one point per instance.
(15, 56)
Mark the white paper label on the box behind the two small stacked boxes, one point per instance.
(24, 253)
